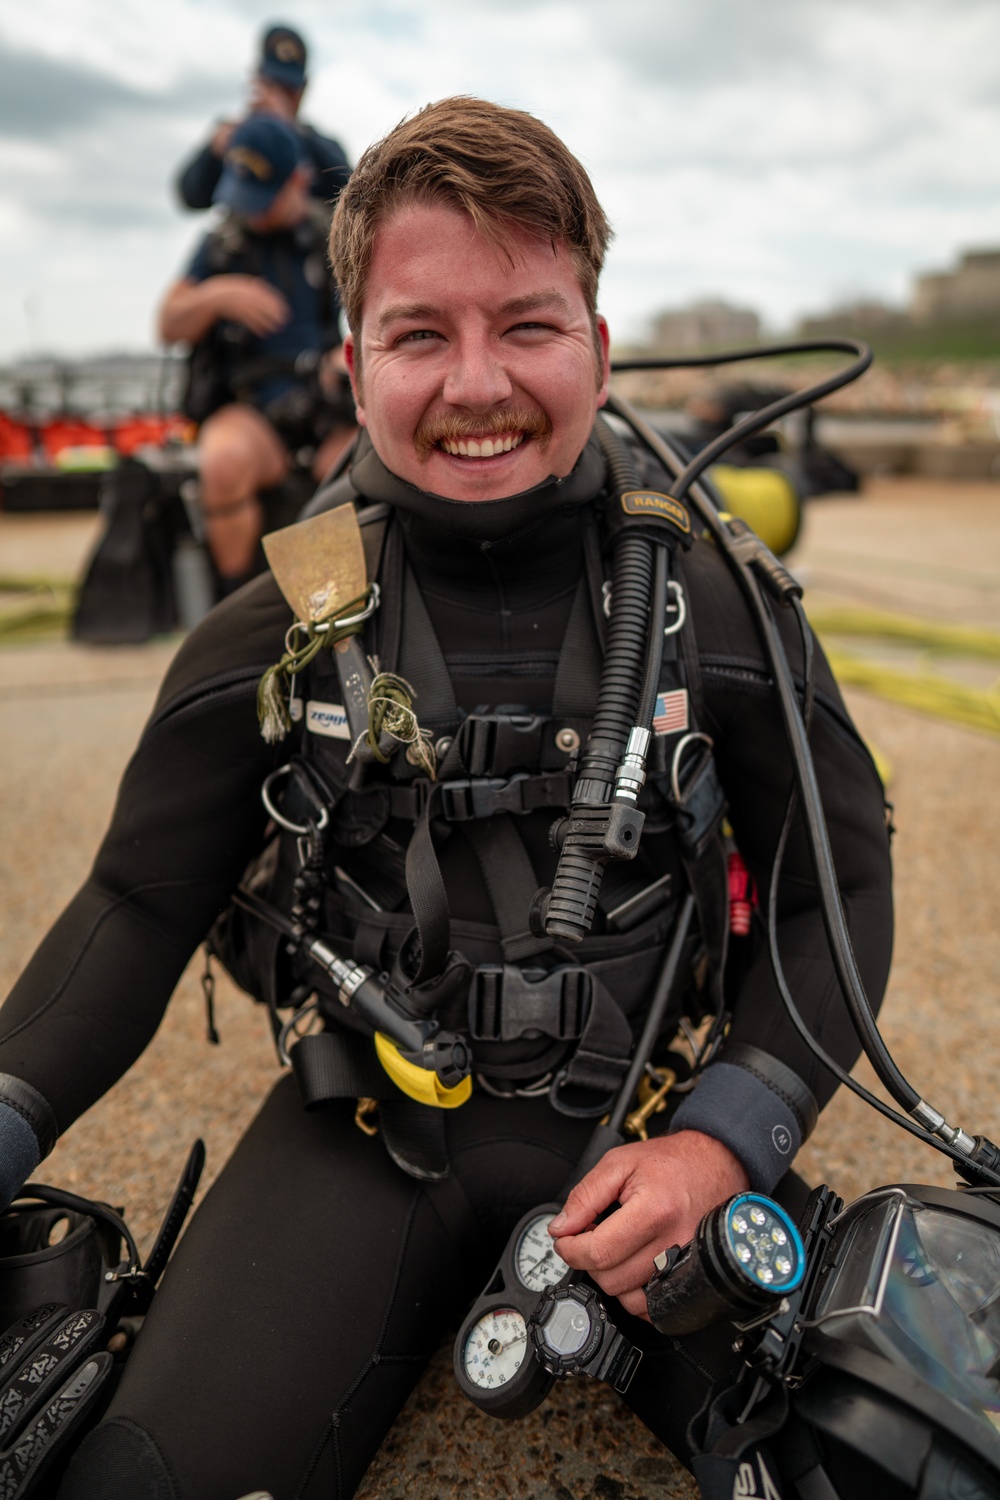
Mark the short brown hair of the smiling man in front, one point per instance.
(501, 167)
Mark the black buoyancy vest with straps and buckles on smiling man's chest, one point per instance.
(504, 776)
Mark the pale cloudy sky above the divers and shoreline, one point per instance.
(782, 154)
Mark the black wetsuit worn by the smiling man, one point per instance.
(317, 1279)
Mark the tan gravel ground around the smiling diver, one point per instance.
(71, 718)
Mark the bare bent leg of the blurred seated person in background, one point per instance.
(239, 455)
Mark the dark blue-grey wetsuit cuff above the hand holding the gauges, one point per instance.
(755, 1106)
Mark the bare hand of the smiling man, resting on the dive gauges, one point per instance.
(665, 1189)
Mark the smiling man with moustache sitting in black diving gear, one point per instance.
(328, 1262)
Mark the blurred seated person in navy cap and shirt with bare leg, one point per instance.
(260, 310)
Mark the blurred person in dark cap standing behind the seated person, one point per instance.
(277, 88)
